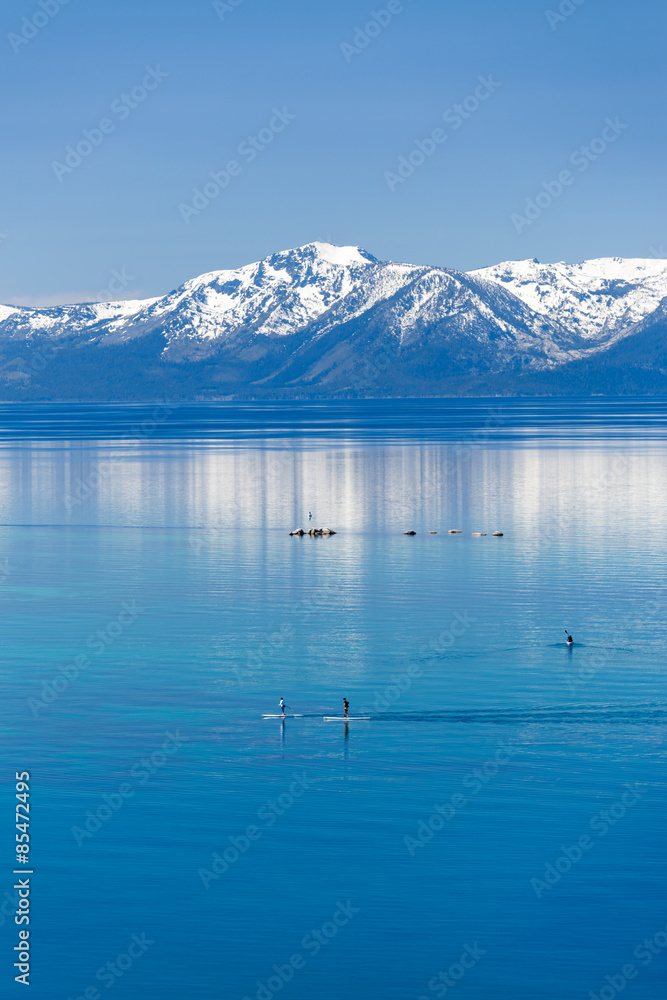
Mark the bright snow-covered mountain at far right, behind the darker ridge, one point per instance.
(598, 299)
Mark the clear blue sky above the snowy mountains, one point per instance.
(323, 176)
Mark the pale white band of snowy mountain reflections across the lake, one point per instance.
(348, 487)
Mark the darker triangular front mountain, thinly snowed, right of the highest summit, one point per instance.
(436, 324)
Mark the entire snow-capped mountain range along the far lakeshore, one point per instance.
(323, 321)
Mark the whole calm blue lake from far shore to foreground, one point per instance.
(505, 805)
